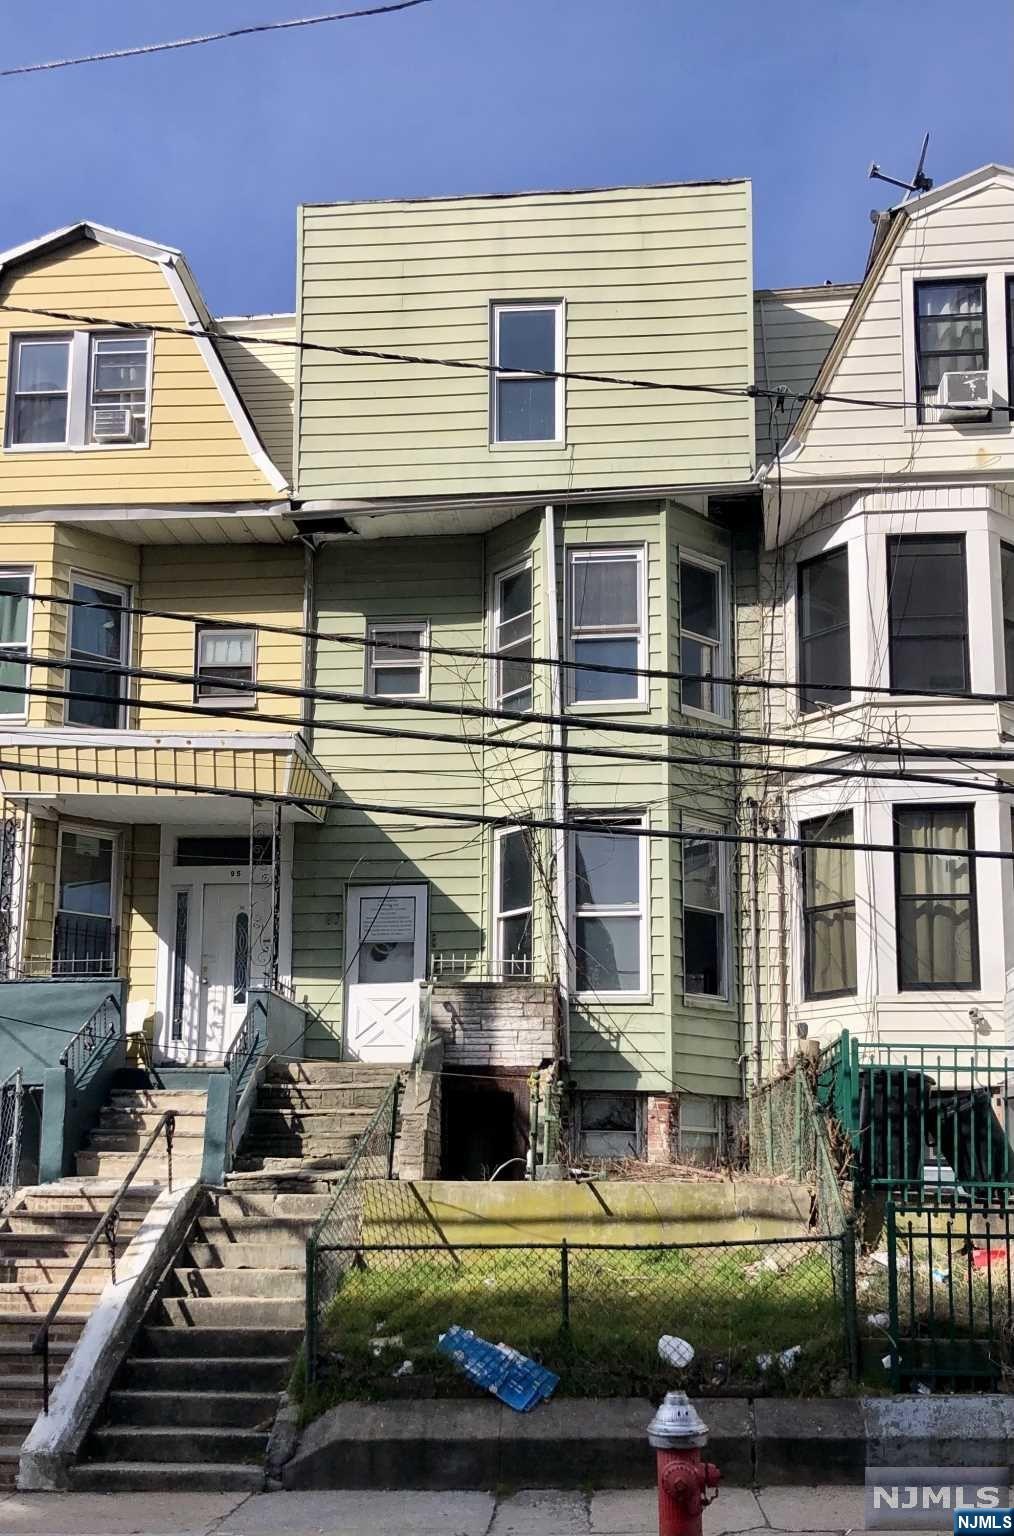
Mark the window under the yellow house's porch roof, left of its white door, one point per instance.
(85, 932)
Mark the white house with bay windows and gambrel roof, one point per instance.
(889, 563)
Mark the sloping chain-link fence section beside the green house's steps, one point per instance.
(346, 1220)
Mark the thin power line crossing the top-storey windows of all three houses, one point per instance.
(425, 360)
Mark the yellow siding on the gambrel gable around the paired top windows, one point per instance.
(196, 452)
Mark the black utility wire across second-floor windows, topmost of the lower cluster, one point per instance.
(468, 654)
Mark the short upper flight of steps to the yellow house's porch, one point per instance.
(128, 1121)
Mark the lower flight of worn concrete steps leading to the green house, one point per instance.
(194, 1403)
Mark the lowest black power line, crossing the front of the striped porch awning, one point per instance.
(614, 824)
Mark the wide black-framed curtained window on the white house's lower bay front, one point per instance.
(938, 929)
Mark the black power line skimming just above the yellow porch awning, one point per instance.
(509, 744)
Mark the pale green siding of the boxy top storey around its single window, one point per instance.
(657, 282)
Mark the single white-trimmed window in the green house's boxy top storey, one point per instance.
(528, 340)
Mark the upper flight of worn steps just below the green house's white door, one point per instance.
(311, 1114)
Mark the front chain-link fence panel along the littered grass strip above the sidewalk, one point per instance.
(763, 1317)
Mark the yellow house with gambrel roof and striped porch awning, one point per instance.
(145, 528)
